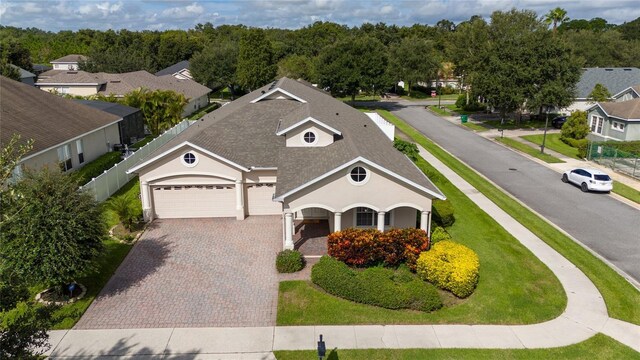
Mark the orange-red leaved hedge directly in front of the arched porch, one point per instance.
(366, 247)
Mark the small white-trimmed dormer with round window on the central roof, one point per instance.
(308, 132)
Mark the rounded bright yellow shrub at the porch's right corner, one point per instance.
(450, 266)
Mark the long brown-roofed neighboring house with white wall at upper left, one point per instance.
(83, 83)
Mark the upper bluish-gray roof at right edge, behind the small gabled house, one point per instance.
(614, 79)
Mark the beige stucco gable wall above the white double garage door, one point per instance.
(208, 170)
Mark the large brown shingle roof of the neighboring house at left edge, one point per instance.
(46, 118)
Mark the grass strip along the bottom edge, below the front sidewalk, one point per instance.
(599, 347)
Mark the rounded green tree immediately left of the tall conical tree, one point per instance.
(215, 66)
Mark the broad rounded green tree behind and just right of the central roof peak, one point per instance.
(353, 65)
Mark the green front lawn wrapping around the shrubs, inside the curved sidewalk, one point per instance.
(514, 286)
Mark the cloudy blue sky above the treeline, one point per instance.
(55, 15)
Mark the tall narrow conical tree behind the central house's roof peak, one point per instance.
(255, 60)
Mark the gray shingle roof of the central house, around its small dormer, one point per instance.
(244, 132)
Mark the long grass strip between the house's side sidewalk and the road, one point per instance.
(620, 296)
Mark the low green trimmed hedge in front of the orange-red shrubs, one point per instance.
(376, 286)
